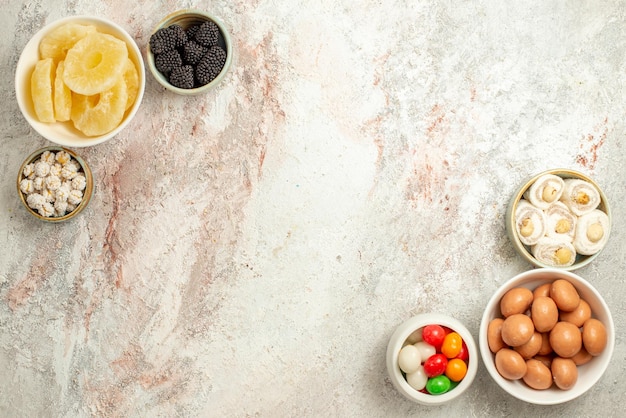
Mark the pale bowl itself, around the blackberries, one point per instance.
(187, 18)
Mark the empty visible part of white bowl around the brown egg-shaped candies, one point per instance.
(588, 374)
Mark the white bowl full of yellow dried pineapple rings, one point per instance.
(80, 81)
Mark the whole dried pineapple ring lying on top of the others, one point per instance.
(95, 63)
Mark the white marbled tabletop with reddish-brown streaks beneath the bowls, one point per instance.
(249, 252)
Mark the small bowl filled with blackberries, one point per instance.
(189, 52)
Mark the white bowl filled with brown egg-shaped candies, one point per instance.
(546, 336)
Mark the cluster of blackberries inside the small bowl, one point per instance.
(188, 58)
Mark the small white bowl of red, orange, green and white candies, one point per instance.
(432, 358)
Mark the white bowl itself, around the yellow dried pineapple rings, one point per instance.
(64, 133)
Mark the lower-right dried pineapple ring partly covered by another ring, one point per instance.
(100, 113)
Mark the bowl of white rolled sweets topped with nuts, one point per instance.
(560, 219)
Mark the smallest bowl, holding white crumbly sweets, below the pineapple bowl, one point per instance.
(54, 184)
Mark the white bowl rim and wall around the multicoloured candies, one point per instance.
(396, 342)
